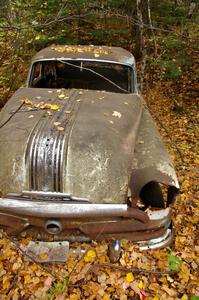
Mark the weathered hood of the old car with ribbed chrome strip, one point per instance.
(84, 148)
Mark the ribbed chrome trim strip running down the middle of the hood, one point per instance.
(45, 150)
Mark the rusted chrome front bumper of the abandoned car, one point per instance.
(79, 220)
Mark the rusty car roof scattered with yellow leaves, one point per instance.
(98, 53)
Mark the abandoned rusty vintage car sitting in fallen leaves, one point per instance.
(81, 158)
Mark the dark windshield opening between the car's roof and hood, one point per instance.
(90, 75)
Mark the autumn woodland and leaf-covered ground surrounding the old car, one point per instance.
(163, 36)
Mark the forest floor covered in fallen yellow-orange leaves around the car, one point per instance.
(20, 279)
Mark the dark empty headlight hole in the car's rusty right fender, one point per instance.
(151, 195)
